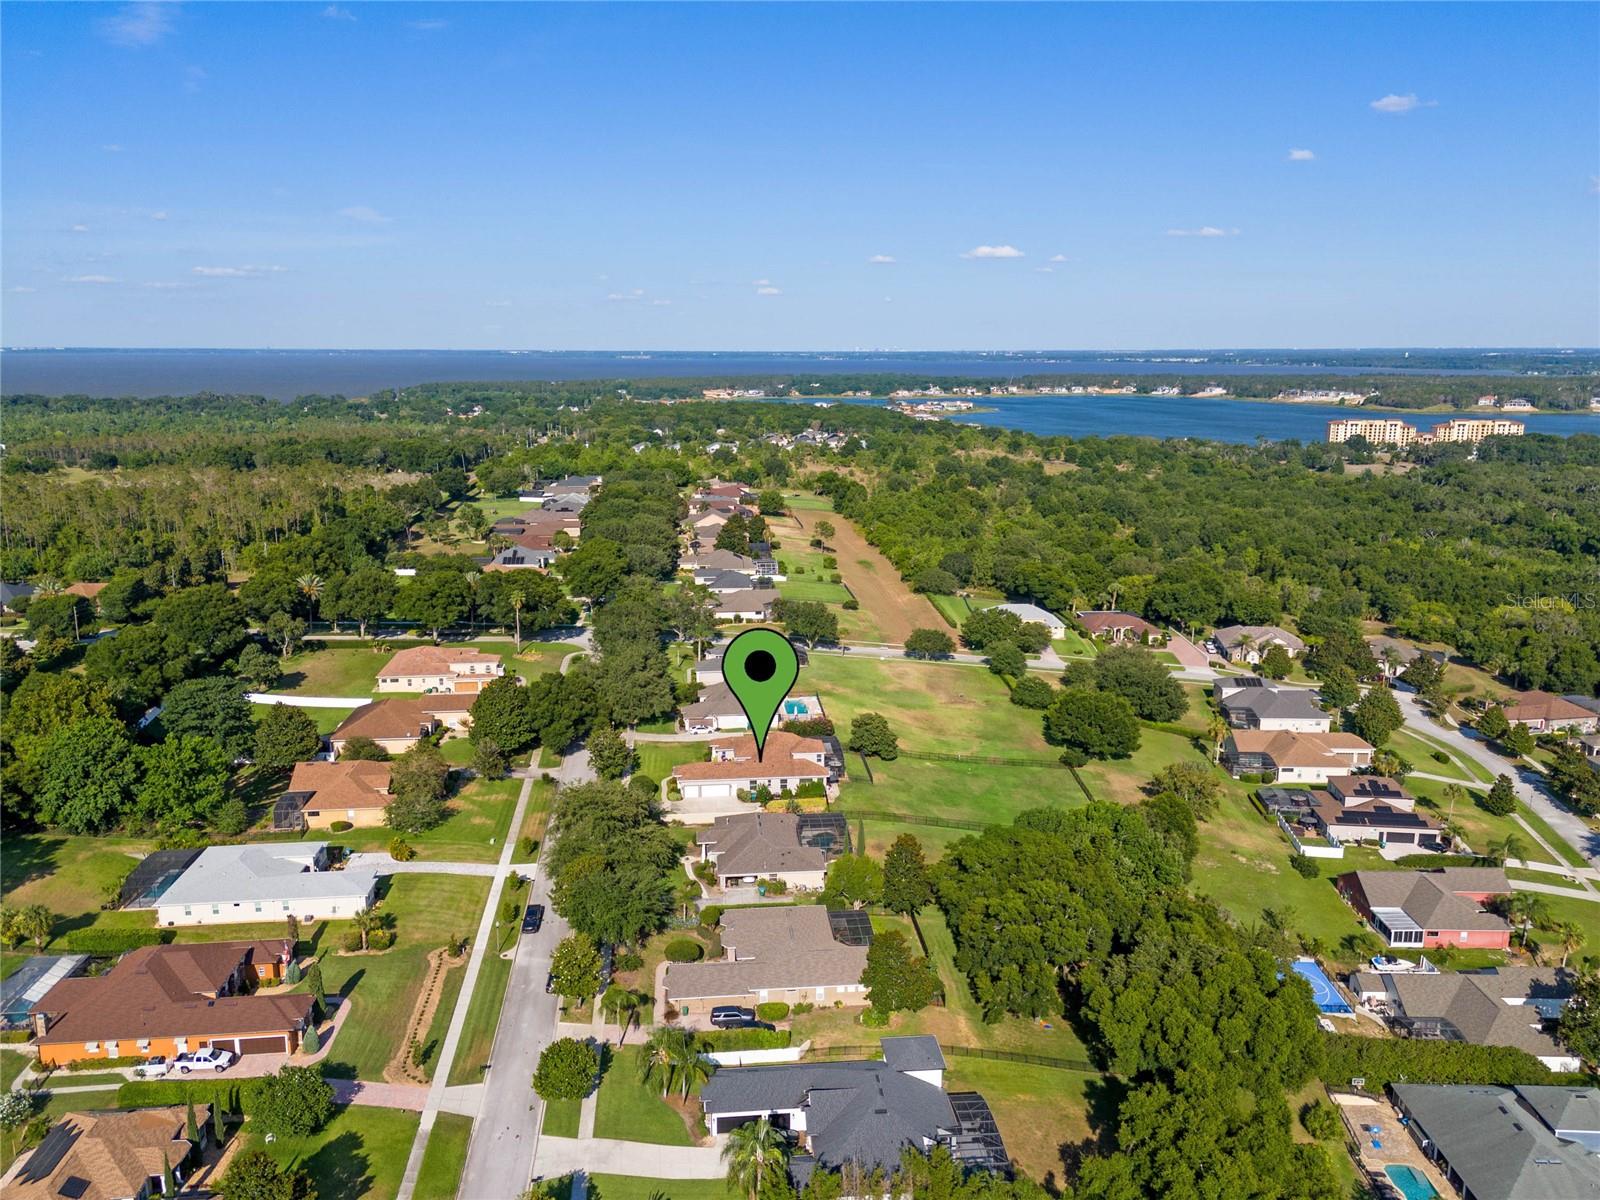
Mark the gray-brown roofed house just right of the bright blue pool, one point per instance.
(1497, 1007)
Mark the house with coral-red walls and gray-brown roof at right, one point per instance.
(1425, 910)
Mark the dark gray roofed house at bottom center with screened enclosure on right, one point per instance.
(860, 1113)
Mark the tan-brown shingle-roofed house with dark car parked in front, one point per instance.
(783, 954)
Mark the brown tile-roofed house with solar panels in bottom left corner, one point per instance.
(106, 1156)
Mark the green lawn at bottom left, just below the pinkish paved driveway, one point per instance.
(358, 1156)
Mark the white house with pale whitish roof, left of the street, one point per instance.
(230, 886)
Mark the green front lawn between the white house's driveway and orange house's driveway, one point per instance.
(383, 988)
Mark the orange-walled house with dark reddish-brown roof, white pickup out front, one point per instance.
(170, 1001)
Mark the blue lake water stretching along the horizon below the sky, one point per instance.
(290, 374)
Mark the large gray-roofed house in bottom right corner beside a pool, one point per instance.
(1529, 1143)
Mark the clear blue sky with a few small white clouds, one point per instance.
(826, 177)
